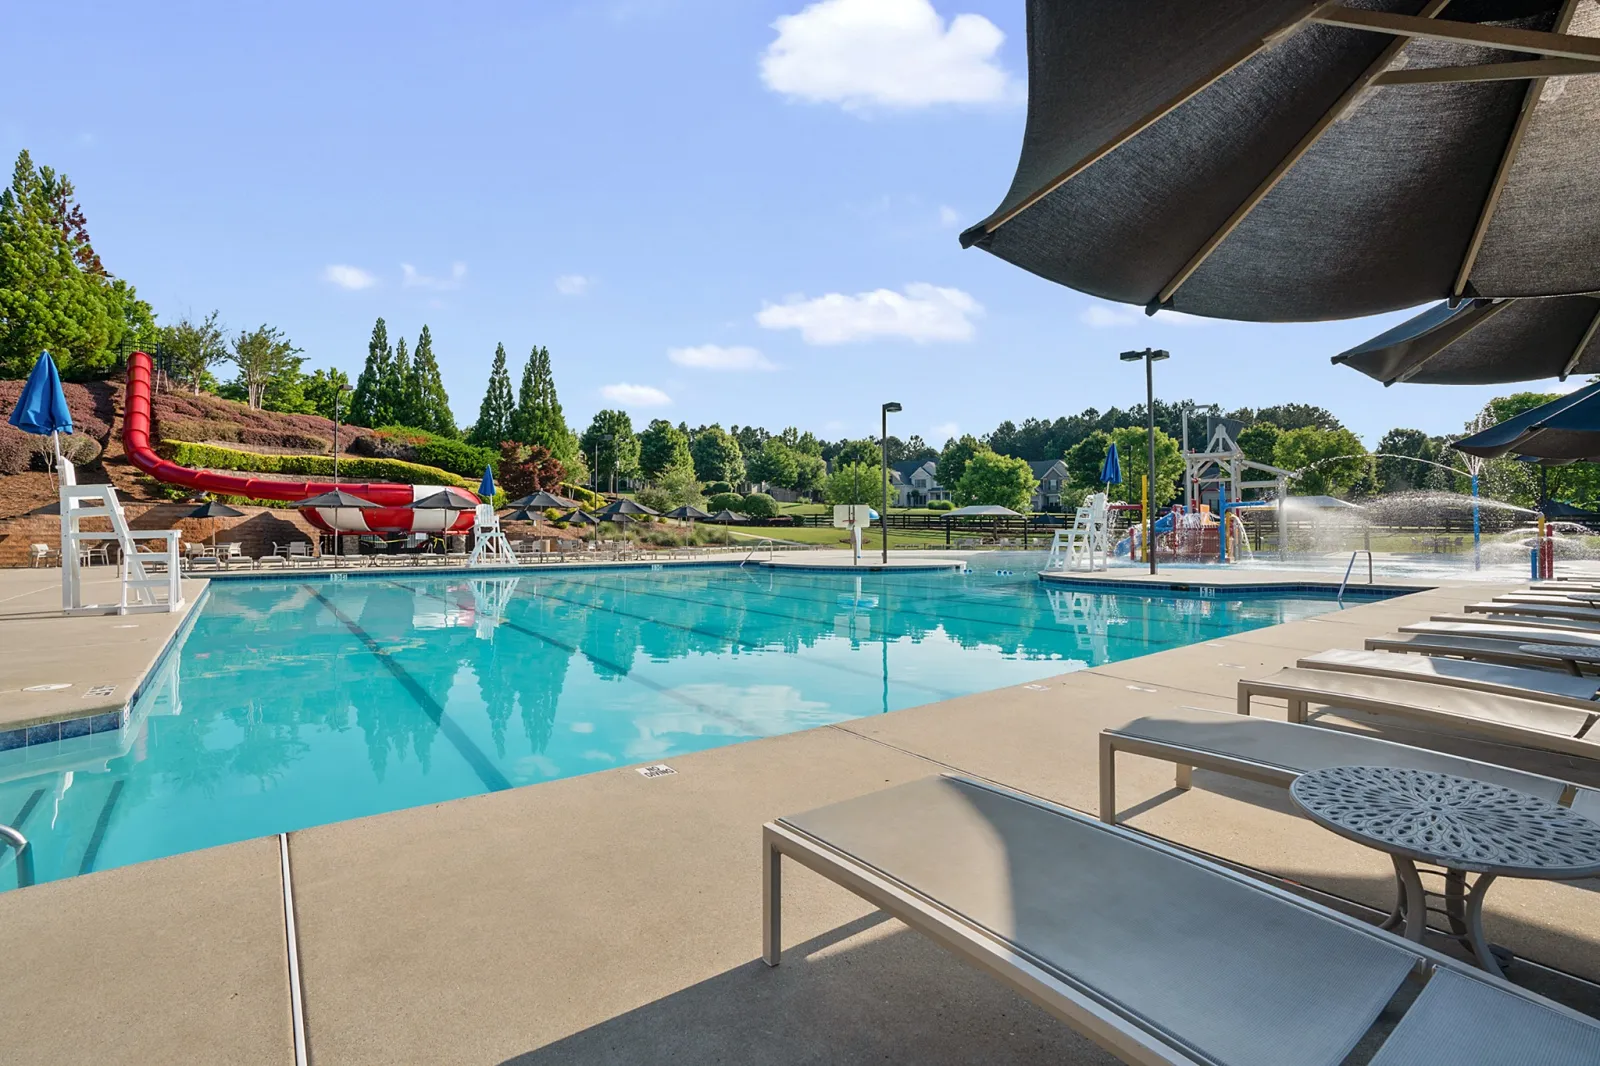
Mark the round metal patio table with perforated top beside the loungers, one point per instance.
(1457, 825)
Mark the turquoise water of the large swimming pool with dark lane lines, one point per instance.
(294, 703)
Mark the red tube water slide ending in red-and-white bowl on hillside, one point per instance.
(393, 515)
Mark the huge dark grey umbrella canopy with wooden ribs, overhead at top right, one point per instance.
(1276, 161)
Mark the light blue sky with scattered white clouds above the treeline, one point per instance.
(710, 210)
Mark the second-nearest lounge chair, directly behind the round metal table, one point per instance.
(1276, 753)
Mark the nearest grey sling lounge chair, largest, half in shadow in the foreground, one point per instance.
(1153, 953)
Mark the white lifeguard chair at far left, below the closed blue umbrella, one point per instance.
(142, 591)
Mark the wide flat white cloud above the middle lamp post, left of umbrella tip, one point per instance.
(924, 313)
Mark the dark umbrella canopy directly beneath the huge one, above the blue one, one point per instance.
(1487, 342)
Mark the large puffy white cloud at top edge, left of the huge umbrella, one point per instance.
(887, 54)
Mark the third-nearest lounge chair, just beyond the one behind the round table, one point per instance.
(1508, 719)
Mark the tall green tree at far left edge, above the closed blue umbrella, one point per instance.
(54, 291)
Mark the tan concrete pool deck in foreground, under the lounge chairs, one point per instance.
(617, 920)
